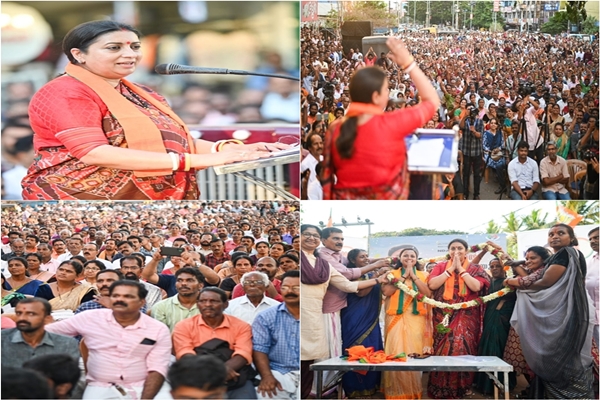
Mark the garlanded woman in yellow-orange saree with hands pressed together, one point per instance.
(408, 325)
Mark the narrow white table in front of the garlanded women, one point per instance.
(485, 364)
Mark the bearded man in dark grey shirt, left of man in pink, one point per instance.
(30, 339)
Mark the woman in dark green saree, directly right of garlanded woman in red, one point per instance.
(496, 325)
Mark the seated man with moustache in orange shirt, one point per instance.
(212, 323)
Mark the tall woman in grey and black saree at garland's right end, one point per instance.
(554, 318)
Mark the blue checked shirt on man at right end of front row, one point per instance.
(276, 333)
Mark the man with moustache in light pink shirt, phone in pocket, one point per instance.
(129, 352)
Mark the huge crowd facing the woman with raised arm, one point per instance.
(525, 106)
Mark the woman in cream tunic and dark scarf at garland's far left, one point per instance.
(317, 275)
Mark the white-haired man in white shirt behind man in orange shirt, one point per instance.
(248, 306)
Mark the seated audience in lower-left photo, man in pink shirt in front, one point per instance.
(166, 299)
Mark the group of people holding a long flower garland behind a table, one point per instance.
(546, 327)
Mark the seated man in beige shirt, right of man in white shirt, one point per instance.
(555, 175)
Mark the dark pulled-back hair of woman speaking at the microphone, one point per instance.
(83, 35)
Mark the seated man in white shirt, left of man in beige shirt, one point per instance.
(523, 175)
